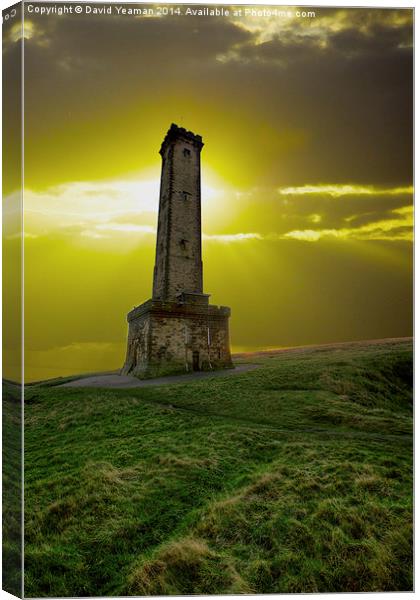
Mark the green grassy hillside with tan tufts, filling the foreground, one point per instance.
(294, 477)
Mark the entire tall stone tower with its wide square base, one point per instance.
(178, 330)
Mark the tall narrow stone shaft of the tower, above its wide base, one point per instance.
(178, 273)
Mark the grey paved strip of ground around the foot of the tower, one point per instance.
(114, 380)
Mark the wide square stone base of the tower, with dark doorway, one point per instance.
(166, 338)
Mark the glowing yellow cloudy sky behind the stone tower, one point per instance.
(306, 174)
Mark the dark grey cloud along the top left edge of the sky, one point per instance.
(132, 44)
